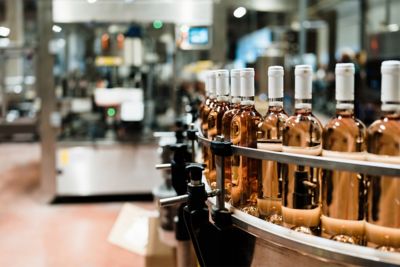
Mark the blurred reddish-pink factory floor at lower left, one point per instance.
(33, 233)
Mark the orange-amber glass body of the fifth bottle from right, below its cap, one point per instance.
(245, 170)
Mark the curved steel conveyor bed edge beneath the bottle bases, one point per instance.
(280, 246)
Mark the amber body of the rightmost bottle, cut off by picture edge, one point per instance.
(383, 217)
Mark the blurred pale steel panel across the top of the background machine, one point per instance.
(179, 11)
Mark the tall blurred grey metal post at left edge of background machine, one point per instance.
(45, 88)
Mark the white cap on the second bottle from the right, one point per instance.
(344, 73)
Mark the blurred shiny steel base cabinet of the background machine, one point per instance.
(107, 169)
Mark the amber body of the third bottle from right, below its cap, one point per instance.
(302, 134)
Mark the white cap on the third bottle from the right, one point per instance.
(303, 82)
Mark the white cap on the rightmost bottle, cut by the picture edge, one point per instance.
(390, 81)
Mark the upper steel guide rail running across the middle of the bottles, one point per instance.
(372, 168)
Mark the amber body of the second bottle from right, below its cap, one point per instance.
(343, 193)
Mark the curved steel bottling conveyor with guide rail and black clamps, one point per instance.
(222, 235)
